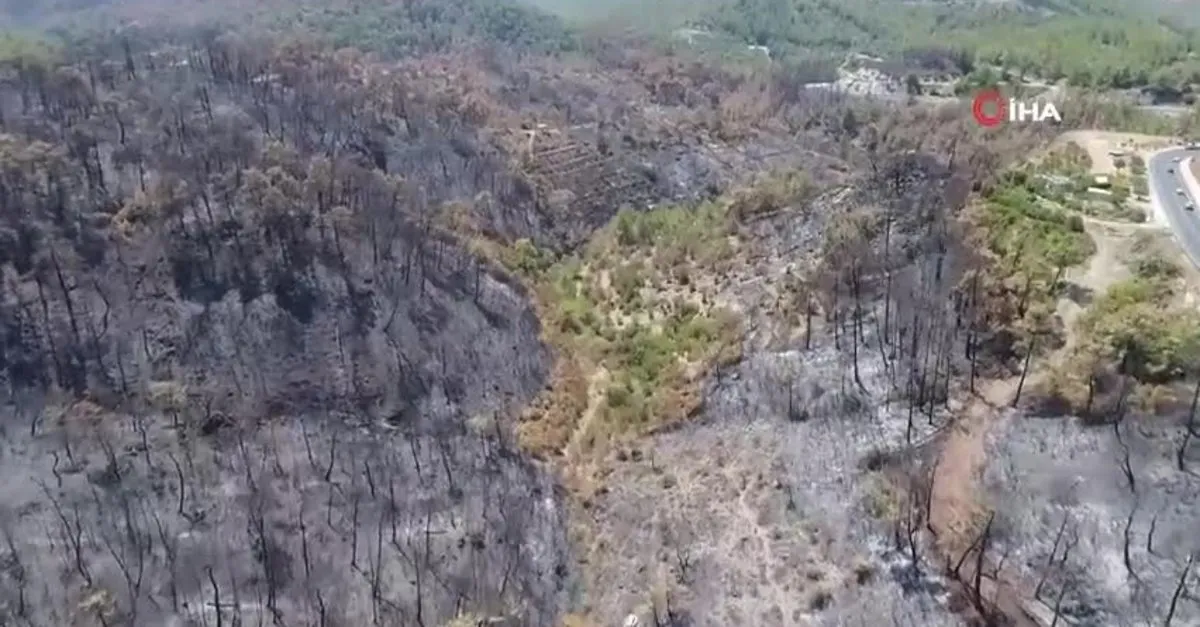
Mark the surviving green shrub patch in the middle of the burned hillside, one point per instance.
(621, 307)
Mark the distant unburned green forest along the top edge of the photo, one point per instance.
(1096, 44)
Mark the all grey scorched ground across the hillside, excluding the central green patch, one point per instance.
(249, 381)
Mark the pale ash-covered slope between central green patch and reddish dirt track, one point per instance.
(766, 510)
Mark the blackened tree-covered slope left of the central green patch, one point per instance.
(253, 369)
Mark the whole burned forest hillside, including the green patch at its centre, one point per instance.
(586, 335)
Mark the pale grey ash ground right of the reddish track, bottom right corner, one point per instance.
(1060, 487)
